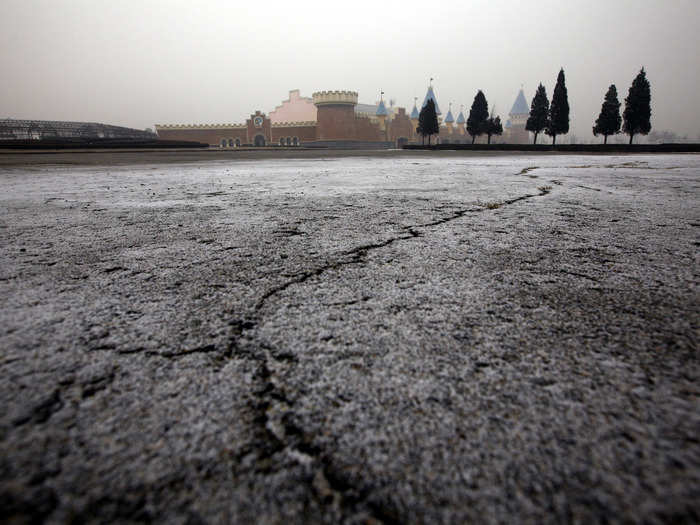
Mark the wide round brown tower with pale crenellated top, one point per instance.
(335, 115)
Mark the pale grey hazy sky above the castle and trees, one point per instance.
(140, 62)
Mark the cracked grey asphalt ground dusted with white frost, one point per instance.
(379, 338)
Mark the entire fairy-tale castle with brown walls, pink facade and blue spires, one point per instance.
(336, 119)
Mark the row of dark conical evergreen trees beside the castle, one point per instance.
(553, 118)
